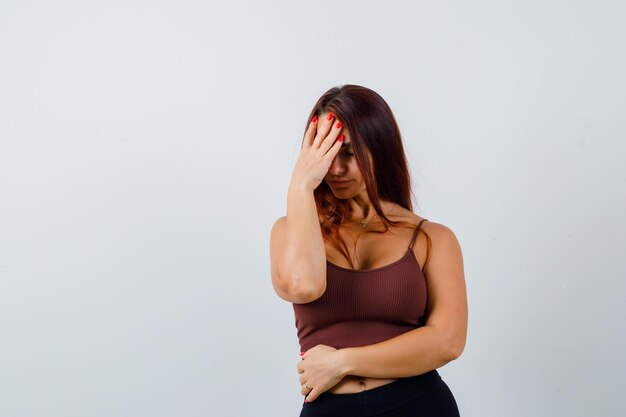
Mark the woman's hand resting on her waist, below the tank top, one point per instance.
(321, 368)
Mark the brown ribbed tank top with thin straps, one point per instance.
(362, 307)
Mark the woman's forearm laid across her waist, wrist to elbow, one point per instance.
(412, 353)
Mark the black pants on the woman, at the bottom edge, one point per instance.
(418, 396)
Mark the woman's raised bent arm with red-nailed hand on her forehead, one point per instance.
(297, 252)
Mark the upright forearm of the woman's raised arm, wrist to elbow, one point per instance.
(303, 261)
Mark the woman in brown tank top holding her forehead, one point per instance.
(378, 292)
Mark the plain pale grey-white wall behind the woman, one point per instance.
(146, 149)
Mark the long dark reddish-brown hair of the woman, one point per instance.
(377, 146)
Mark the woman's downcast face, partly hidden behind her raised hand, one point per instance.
(344, 177)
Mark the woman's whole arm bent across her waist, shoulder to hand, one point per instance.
(439, 341)
